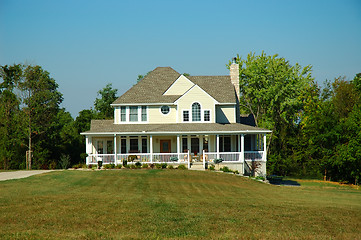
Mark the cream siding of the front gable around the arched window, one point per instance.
(196, 94)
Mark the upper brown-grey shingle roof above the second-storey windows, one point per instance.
(152, 87)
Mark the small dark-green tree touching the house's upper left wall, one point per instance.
(102, 104)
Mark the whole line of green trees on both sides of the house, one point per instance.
(316, 129)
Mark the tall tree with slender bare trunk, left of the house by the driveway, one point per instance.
(41, 101)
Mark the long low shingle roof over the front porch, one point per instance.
(108, 126)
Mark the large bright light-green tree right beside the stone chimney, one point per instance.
(272, 90)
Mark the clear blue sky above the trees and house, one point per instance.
(87, 44)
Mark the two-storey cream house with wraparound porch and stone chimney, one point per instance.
(169, 117)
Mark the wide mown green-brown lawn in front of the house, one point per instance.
(173, 204)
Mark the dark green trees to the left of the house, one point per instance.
(35, 132)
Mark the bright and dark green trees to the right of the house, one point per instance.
(316, 131)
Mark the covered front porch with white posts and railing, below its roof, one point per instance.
(237, 151)
